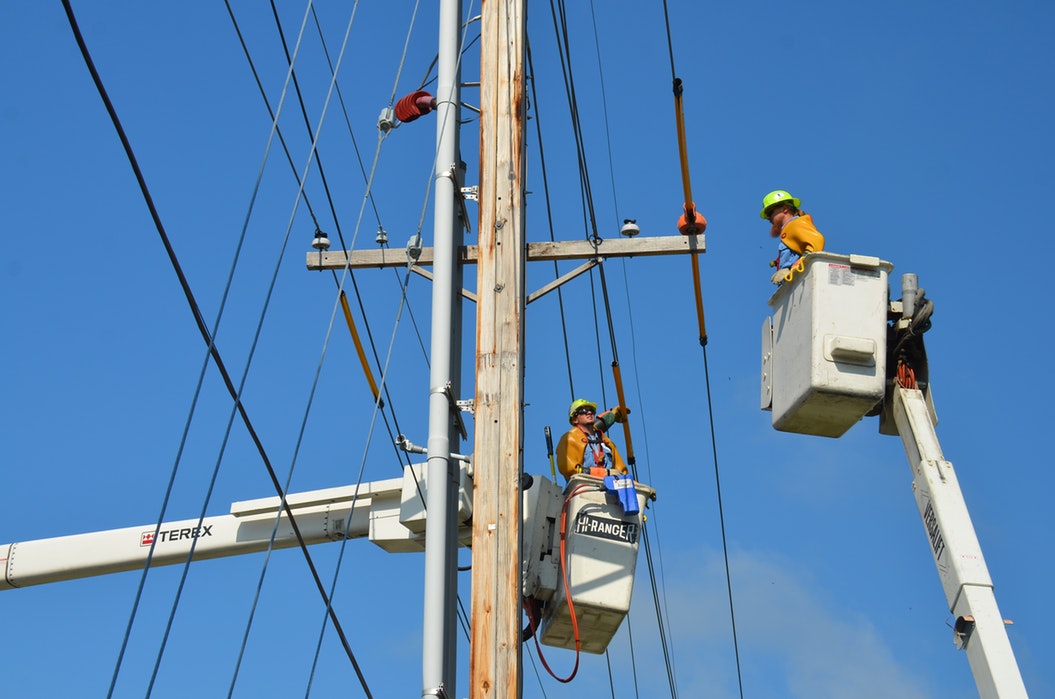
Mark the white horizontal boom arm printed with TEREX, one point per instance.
(391, 513)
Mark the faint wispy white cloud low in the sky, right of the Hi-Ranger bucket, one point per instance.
(793, 642)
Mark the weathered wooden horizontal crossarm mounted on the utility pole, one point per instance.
(638, 247)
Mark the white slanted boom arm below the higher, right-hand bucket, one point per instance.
(980, 628)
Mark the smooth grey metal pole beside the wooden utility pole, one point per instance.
(439, 643)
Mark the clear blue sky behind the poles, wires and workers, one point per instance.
(915, 133)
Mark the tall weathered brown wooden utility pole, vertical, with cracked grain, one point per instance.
(497, 456)
